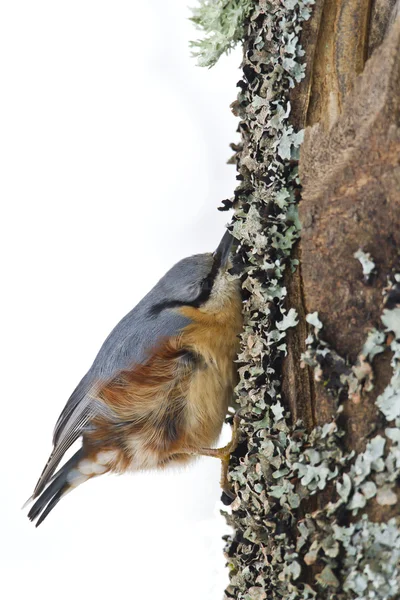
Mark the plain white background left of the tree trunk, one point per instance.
(113, 147)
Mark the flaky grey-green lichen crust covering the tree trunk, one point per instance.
(303, 513)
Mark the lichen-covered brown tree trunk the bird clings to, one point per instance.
(315, 513)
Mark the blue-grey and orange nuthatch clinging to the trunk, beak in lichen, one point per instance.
(159, 388)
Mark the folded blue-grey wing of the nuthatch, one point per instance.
(129, 343)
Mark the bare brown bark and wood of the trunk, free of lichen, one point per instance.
(350, 174)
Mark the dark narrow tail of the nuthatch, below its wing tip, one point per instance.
(66, 478)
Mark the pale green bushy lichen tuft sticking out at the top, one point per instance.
(222, 24)
